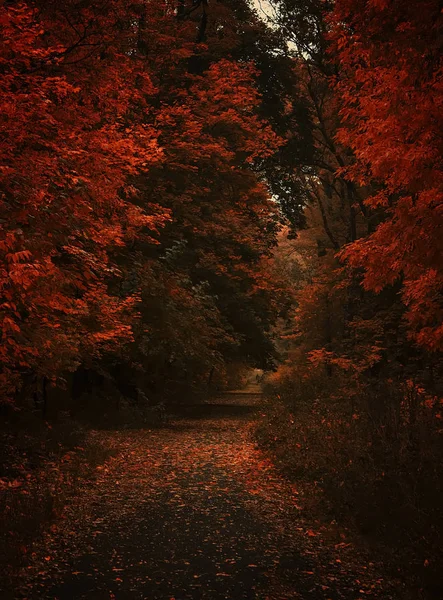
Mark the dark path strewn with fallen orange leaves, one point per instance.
(195, 510)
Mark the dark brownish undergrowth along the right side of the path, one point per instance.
(373, 469)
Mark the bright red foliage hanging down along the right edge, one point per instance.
(391, 86)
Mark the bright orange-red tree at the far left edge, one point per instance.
(71, 138)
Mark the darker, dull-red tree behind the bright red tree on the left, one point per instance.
(222, 221)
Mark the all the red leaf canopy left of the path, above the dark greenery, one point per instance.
(101, 147)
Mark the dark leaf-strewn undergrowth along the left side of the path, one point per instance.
(42, 465)
